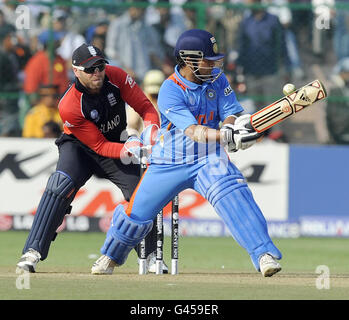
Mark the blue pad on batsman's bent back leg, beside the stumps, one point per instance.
(123, 235)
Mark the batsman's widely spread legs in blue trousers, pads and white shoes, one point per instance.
(216, 179)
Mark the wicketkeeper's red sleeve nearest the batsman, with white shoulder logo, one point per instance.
(132, 94)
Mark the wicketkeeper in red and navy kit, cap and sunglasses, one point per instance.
(94, 117)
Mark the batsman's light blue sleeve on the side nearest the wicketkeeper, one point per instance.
(173, 107)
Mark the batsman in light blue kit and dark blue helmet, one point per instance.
(189, 153)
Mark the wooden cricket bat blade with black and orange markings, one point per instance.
(288, 106)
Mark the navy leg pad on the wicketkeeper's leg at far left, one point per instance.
(54, 204)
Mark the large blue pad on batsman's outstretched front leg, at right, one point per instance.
(234, 202)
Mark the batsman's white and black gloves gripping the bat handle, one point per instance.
(240, 135)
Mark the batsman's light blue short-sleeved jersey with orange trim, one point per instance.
(183, 103)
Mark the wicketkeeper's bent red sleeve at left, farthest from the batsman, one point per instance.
(84, 130)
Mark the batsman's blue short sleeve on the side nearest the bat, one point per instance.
(228, 104)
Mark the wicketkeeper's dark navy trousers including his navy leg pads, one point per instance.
(75, 166)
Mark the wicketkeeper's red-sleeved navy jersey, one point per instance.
(99, 120)
